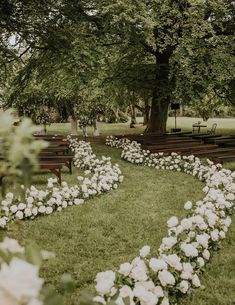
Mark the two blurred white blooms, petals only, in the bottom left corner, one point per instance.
(19, 280)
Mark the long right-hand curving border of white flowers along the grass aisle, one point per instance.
(173, 272)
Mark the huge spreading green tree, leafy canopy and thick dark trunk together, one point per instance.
(78, 51)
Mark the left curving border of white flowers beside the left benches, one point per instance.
(101, 176)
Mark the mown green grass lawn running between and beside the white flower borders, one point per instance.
(110, 229)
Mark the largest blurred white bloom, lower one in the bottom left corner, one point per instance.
(20, 280)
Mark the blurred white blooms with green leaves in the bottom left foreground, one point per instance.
(20, 282)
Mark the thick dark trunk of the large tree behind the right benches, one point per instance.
(161, 96)
